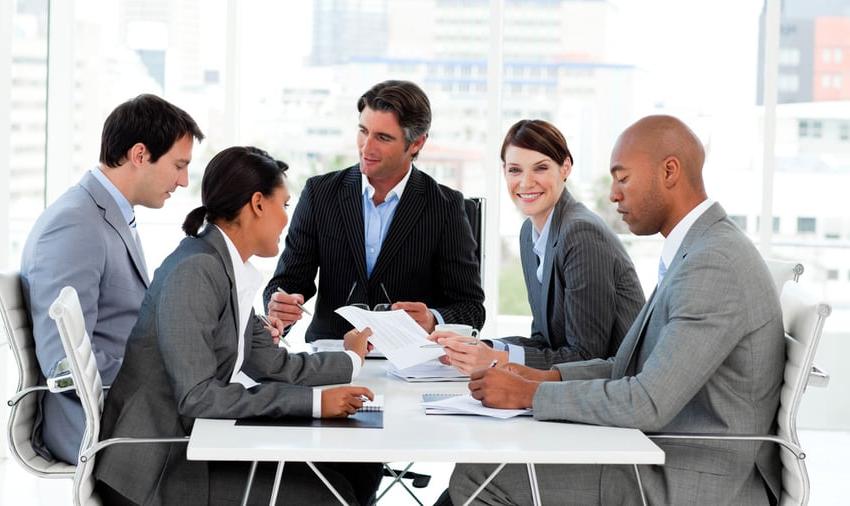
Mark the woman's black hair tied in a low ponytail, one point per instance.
(230, 180)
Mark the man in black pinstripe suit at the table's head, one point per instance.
(380, 231)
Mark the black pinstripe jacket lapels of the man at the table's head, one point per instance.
(407, 213)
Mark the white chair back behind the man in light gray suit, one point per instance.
(16, 329)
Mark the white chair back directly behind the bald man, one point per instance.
(803, 318)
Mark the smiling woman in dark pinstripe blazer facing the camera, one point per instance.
(582, 287)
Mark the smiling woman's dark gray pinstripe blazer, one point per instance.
(590, 292)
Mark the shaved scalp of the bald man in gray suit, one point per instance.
(661, 136)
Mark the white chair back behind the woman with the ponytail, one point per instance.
(68, 314)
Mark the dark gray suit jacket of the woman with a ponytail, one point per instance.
(177, 368)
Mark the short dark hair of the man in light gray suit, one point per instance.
(147, 119)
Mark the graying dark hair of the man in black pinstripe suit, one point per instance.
(409, 103)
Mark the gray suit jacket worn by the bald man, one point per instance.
(706, 354)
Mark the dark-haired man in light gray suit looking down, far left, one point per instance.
(87, 239)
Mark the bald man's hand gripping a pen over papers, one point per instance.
(497, 388)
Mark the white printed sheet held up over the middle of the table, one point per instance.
(395, 334)
